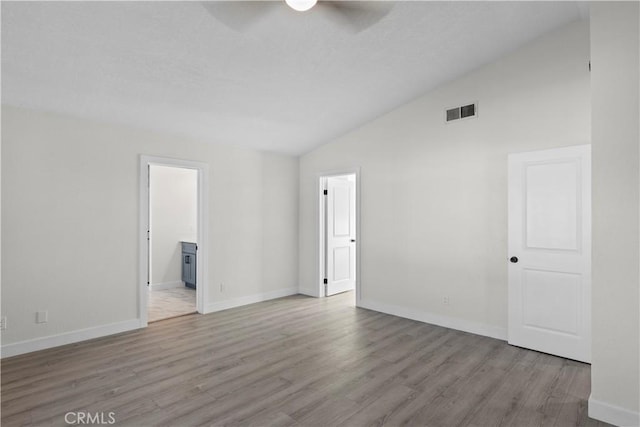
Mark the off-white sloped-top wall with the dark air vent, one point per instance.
(434, 195)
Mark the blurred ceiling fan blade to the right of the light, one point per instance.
(358, 15)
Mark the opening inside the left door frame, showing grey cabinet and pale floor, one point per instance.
(173, 235)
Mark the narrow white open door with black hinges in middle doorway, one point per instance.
(341, 235)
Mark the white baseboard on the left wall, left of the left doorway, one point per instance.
(50, 341)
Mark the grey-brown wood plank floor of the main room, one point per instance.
(296, 361)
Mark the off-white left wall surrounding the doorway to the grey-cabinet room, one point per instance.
(70, 224)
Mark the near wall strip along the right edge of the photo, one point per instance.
(615, 57)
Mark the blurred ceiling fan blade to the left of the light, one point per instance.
(239, 15)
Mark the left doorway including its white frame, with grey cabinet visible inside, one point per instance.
(172, 238)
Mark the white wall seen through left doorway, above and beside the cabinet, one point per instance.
(174, 219)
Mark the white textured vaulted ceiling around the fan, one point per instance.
(288, 83)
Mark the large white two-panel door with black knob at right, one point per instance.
(550, 251)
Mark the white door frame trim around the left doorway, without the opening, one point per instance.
(144, 224)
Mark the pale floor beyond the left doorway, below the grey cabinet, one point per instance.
(168, 303)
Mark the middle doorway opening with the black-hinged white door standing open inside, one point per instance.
(338, 234)
